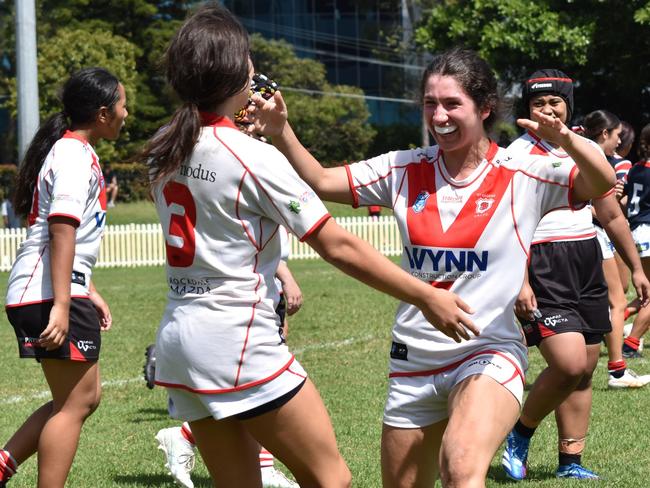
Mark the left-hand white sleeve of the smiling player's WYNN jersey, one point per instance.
(371, 181)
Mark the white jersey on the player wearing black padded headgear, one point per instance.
(559, 224)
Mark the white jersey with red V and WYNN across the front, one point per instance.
(470, 236)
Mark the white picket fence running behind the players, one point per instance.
(143, 244)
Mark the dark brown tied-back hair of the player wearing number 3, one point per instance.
(206, 63)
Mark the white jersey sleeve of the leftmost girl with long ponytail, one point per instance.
(70, 179)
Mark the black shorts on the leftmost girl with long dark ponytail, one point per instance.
(84, 339)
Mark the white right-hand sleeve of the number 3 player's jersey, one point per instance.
(283, 196)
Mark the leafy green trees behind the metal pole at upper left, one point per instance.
(104, 30)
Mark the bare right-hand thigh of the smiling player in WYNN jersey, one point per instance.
(481, 413)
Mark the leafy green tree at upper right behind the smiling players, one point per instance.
(604, 49)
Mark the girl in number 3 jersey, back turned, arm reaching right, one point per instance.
(221, 197)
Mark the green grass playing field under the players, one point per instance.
(341, 336)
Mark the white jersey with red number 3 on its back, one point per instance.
(220, 214)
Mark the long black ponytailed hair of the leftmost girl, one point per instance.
(85, 92)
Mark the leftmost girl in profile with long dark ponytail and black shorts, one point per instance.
(56, 312)
